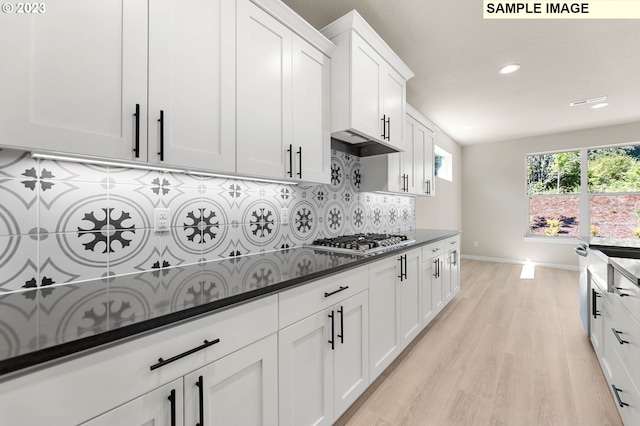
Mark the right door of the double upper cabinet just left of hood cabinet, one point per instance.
(311, 115)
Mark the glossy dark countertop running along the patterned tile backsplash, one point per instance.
(48, 323)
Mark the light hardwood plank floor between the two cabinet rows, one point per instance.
(505, 351)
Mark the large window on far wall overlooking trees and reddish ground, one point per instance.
(602, 185)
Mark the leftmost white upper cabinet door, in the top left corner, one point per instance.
(73, 76)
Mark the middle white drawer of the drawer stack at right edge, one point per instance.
(628, 331)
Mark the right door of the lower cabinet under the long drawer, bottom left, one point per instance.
(239, 389)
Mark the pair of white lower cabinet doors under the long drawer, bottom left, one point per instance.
(239, 389)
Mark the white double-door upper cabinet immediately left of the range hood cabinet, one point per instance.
(282, 98)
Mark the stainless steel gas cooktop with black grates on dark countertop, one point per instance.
(362, 244)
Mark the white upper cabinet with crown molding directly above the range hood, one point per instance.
(368, 84)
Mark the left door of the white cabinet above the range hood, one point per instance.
(366, 73)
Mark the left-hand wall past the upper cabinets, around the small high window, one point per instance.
(444, 211)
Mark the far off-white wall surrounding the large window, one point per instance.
(494, 200)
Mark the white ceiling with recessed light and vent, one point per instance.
(456, 55)
